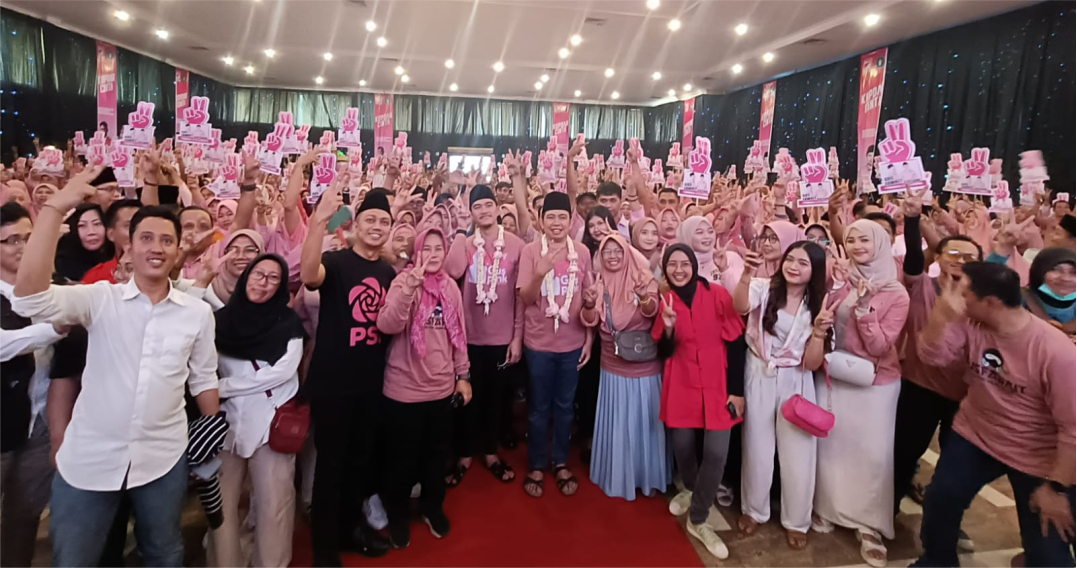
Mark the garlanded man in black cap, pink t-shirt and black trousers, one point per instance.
(489, 261)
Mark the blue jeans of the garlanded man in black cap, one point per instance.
(554, 379)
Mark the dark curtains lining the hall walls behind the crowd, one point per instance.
(1006, 84)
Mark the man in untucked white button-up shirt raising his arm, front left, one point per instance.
(129, 432)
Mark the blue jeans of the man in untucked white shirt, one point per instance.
(80, 520)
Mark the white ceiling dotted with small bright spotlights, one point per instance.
(525, 35)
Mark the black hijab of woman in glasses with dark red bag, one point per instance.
(258, 333)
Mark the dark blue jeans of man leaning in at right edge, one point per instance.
(963, 470)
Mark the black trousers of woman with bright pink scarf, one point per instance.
(417, 436)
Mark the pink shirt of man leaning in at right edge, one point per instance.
(1020, 405)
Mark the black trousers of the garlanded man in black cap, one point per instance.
(478, 426)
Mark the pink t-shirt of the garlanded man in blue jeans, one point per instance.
(538, 329)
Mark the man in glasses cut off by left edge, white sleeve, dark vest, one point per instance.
(26, 472)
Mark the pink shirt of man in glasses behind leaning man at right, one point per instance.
(946, 381)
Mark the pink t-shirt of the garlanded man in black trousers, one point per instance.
(506, 321)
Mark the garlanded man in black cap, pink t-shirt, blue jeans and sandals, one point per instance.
(554, 272)
